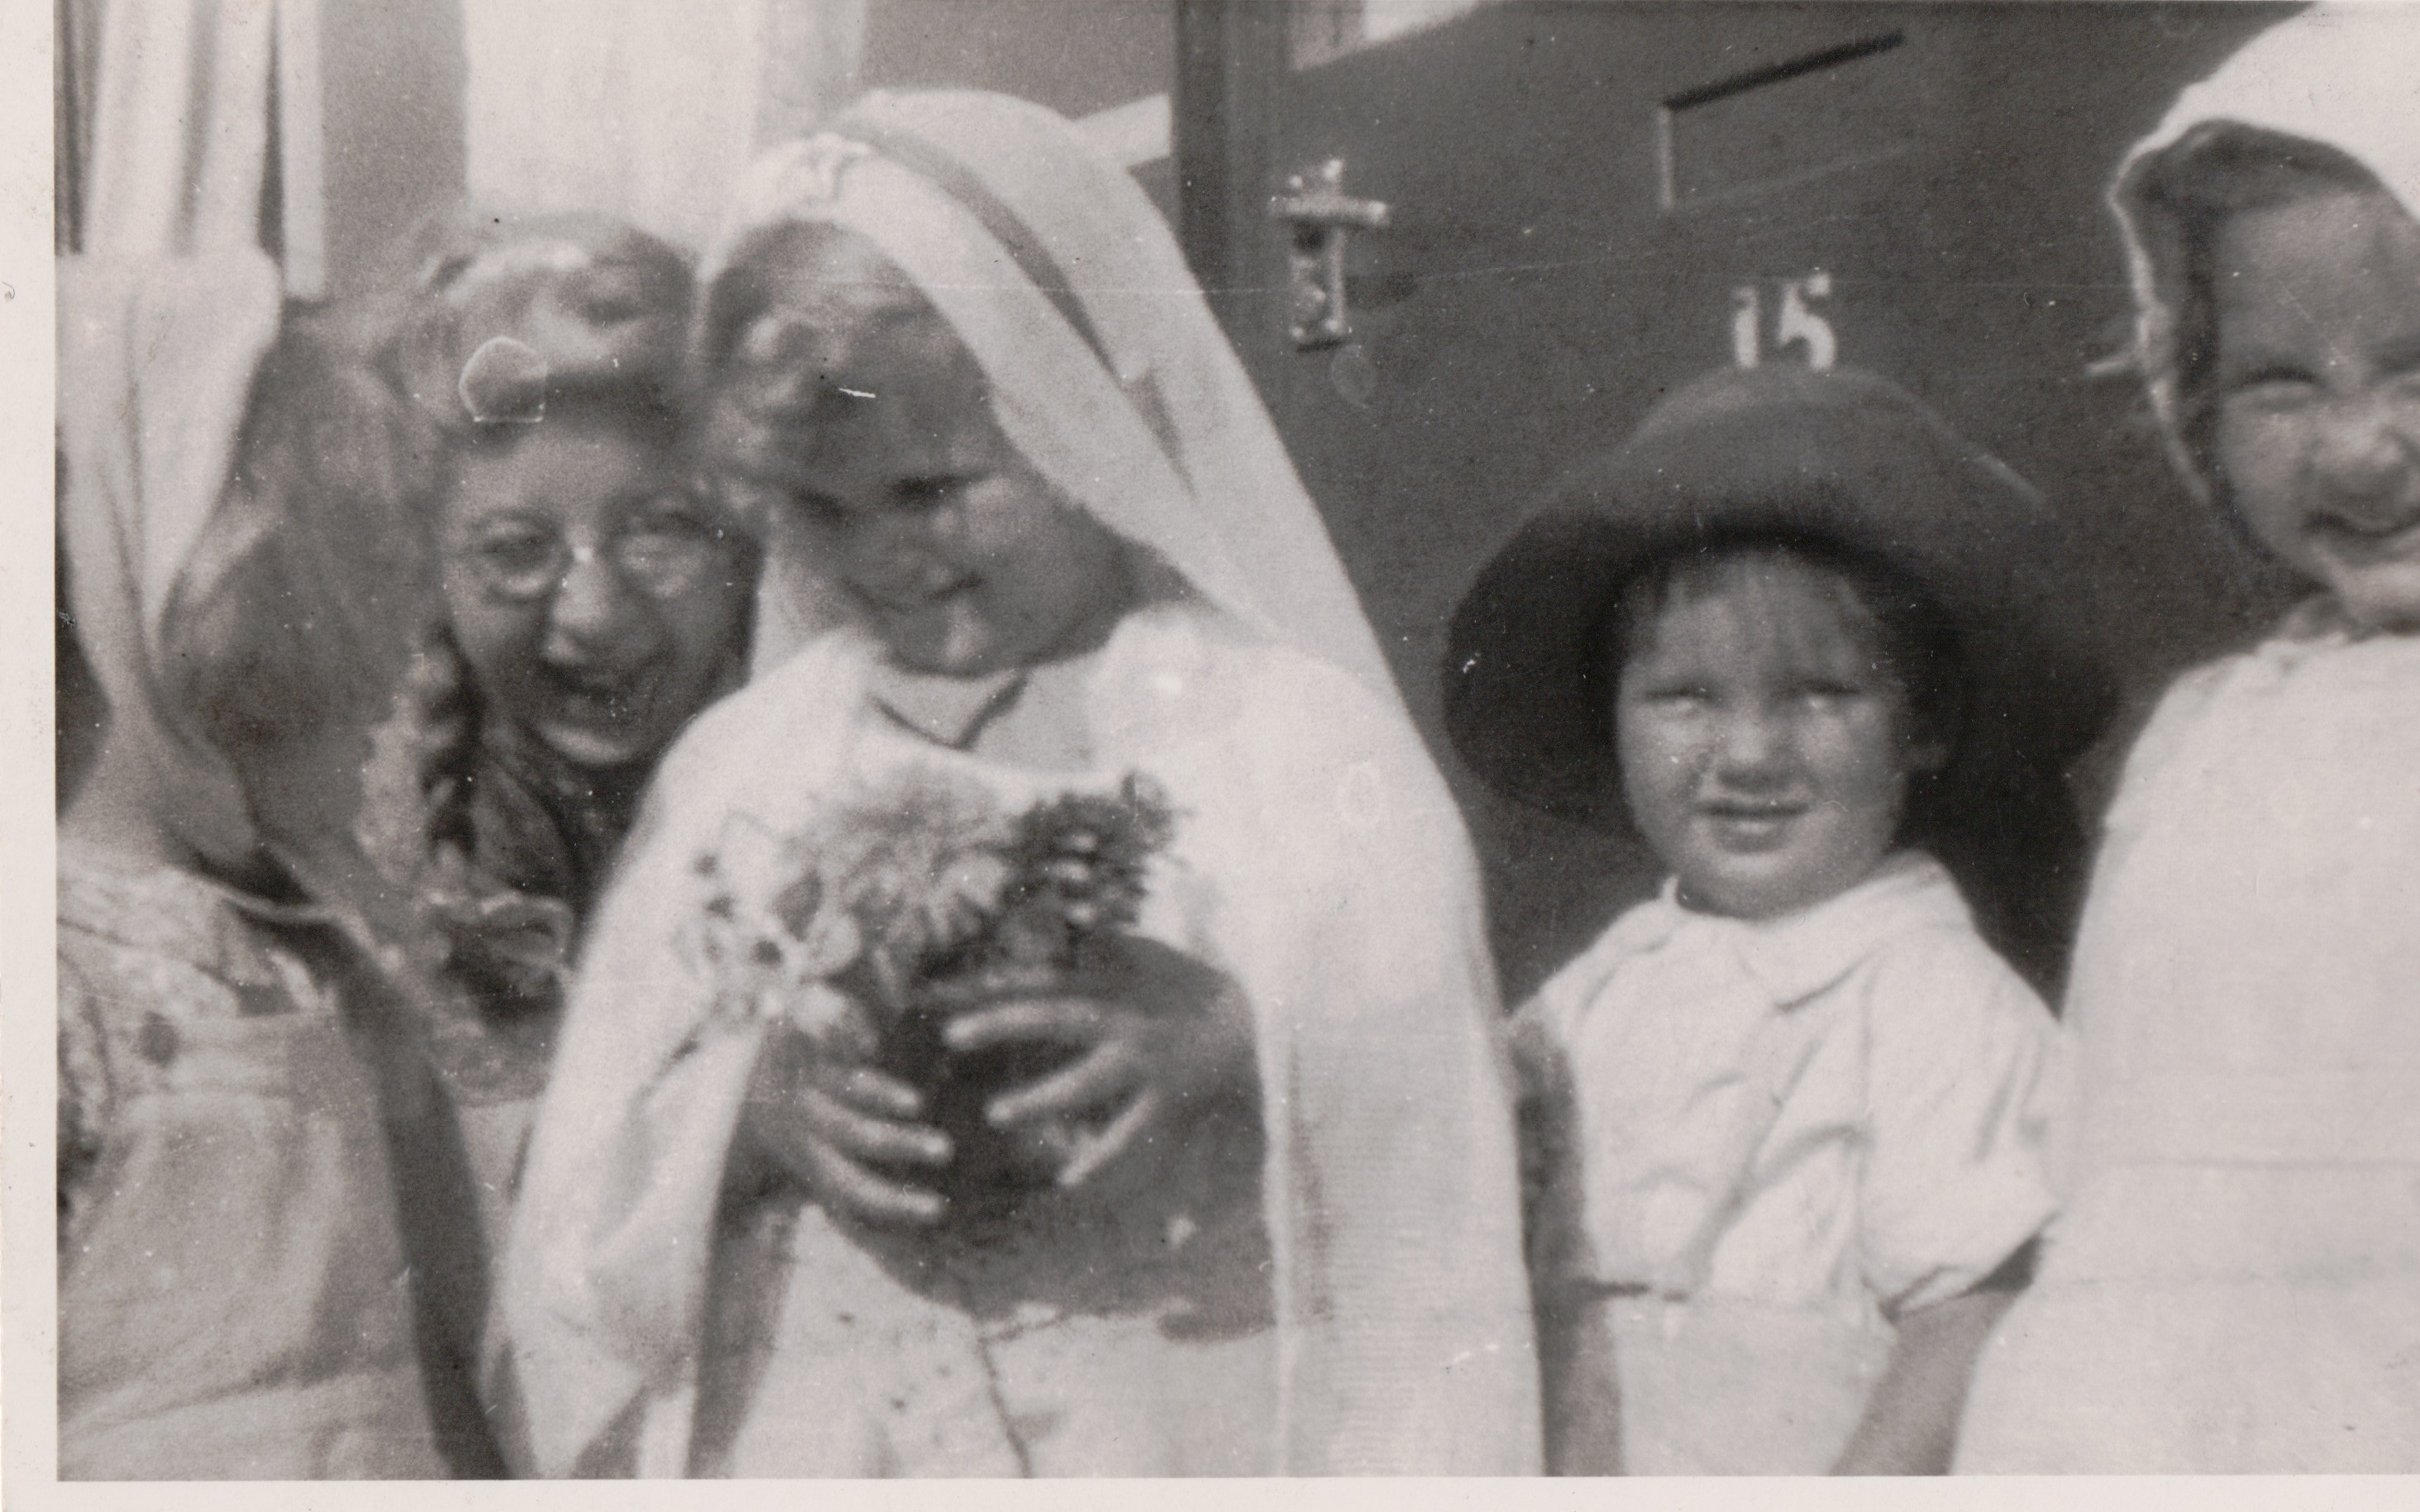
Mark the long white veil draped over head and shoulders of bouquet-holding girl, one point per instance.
(1349, 916)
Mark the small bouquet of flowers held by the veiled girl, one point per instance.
(843, 928)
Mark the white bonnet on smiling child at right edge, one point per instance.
(2339, 76)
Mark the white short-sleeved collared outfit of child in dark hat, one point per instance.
(1775, 1138)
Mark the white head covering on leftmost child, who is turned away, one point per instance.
(156, 364)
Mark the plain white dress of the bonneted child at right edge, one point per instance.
(2235, 1283)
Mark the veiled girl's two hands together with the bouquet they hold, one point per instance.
(960, 996)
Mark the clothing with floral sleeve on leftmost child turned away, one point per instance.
(238, 1288)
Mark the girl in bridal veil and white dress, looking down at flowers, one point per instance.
(996, 437)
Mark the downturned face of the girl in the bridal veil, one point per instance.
(947, 543)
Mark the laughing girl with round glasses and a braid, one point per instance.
(594, 604)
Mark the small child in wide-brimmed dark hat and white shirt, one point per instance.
(1807, 642)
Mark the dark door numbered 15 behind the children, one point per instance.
(1591, 204)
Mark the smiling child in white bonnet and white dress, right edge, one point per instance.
(2235, 1281)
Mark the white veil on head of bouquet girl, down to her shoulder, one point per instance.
(1107, 369)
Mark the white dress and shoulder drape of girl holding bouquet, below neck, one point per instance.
(1277, 1300)
